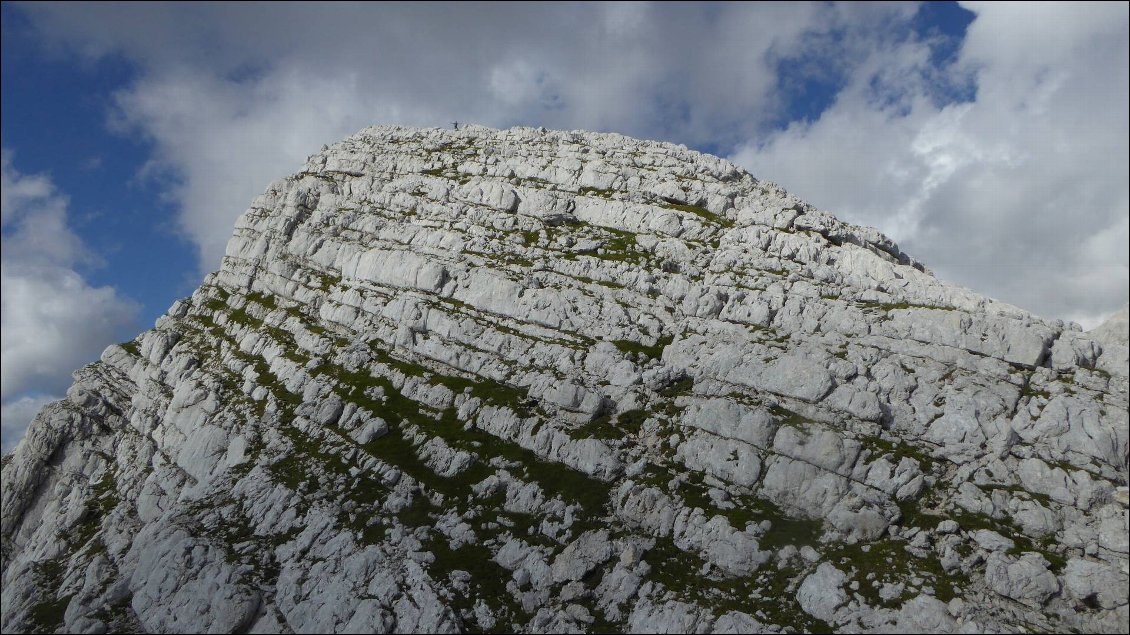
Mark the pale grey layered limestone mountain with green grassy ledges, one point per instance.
(550, 382)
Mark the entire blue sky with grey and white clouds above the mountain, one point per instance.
(990, 141)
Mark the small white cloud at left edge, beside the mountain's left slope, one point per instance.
(53, 319)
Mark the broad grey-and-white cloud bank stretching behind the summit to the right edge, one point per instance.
(1003, 168)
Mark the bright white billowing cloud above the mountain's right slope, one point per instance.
(1021, 193)
